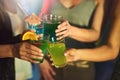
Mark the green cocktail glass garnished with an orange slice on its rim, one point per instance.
(37, 39)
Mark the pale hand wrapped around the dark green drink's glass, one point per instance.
(64, 30)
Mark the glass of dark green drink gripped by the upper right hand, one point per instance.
(50, 23)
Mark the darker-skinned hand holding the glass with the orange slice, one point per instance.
(27, 52)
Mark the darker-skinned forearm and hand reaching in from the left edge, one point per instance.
(21, 50)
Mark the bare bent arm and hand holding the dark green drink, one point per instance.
(86, 35)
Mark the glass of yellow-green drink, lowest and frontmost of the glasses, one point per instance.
(56, 50)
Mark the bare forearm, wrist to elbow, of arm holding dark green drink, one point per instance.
(84, 35)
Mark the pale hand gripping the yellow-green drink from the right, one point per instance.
(71, 55)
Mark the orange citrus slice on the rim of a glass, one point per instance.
(29, 35)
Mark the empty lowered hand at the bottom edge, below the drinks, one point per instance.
(47, 71)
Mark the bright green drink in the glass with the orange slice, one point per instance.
(43, 45)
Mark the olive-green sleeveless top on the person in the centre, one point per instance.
(79, 16)
